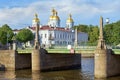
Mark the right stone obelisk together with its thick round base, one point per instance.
(100, 55)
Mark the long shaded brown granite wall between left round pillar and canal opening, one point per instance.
(58, 61)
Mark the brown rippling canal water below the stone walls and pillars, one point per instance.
(86, 73)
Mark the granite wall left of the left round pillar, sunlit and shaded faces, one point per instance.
(12, 60)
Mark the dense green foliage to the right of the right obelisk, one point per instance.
(112, 33)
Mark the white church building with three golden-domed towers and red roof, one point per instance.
(56, 35)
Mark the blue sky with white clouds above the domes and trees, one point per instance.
(19, 13)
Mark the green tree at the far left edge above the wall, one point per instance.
(6, 34)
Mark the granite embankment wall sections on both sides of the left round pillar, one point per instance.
(12, 60)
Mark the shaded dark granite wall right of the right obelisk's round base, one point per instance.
(113, 64)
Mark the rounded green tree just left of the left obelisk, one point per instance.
(24, 35)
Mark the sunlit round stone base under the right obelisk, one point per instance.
(100, 63)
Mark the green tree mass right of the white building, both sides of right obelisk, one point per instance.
(111, 33)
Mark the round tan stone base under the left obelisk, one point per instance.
(36, 60)
